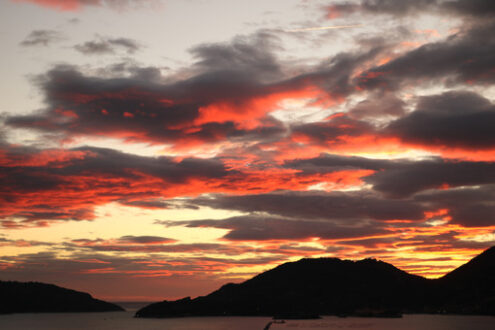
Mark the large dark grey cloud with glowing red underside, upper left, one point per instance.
(142, 109)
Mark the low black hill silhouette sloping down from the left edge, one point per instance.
(35, 297)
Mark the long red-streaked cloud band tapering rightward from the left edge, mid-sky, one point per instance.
(39, 187)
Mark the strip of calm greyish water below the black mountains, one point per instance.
(125, 321)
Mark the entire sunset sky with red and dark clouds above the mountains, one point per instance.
(157, 149)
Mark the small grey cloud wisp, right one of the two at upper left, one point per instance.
(108, 46)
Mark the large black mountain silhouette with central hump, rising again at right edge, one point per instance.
(330, 286)
